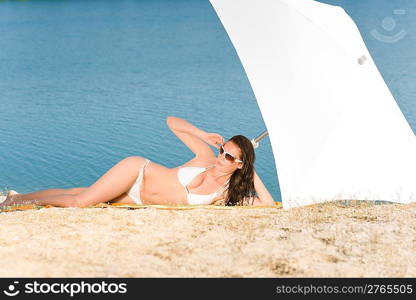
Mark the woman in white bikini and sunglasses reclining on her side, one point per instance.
(229, 177)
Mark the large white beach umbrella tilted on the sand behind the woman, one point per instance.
(336, 131)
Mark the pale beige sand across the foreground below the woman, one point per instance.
(325, 240)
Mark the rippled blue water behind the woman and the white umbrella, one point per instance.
(86, 83)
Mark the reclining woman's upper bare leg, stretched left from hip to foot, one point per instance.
(111, 185)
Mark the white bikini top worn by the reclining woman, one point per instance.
(186, 175)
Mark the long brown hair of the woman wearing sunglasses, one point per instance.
(241, 186)
